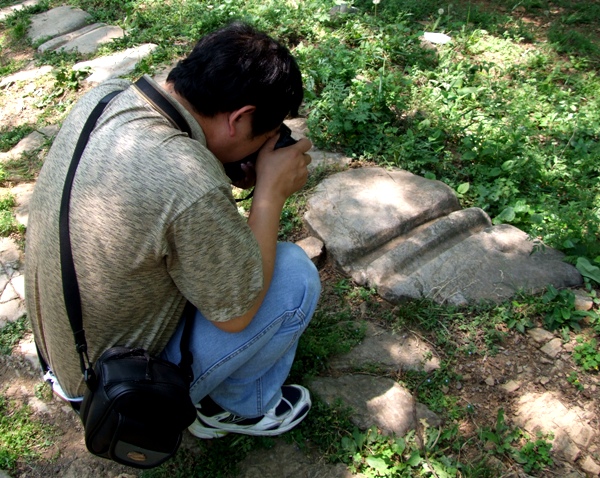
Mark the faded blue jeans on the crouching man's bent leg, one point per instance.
(243, 372)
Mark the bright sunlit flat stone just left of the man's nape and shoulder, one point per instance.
(113, 66)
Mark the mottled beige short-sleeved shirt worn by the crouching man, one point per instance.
(153, 223)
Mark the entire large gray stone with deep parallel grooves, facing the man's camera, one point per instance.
(407, 237)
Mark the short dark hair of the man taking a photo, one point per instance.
(238, 66)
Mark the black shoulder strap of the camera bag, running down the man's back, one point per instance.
(69, 277)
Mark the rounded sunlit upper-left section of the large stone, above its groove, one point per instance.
(359, 210)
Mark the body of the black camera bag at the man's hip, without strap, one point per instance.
(138, 409)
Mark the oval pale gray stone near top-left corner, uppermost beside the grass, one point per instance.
(55, 22)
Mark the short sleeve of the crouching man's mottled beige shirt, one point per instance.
(214, 258)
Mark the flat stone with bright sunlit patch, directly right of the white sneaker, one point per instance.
(376, 401)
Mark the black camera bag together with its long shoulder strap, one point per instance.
(136, 407)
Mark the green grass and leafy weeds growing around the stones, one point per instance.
(506, 114)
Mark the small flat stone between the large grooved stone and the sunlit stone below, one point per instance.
(388, 351)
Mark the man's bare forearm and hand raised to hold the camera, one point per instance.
(280, 173)
